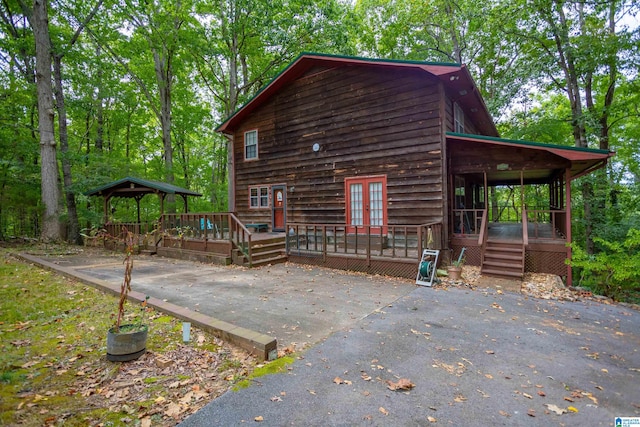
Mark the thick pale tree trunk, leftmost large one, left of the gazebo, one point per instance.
(51, 230)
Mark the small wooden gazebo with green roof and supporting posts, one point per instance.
(137, 188)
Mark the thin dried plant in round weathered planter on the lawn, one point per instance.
(127, 341)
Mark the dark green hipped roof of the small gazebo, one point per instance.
(137, 187)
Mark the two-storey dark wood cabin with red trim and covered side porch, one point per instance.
(362, 163)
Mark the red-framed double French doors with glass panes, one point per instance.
(366, 202)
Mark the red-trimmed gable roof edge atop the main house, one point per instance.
(455, 77)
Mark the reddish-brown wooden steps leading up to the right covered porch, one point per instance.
(503, 258)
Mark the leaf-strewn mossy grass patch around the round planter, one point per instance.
(53, 367)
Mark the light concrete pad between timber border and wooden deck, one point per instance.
(297, 305)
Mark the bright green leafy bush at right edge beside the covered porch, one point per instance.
(614, 271)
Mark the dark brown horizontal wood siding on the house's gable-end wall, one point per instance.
(367, 121)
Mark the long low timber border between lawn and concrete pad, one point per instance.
(260, 345)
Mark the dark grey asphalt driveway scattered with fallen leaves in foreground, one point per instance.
(475, 357)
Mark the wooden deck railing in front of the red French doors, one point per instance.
(389, 241)
